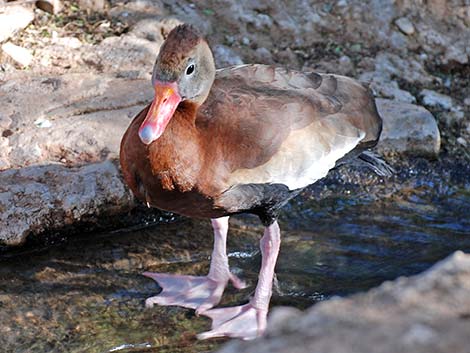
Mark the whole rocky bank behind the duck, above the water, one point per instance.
(72, 81)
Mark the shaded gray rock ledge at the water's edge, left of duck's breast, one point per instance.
(47, 197)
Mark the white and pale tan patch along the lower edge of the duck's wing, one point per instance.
(305, 156)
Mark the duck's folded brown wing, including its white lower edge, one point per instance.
(273, 125)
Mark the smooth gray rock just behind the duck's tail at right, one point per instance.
(408, 128)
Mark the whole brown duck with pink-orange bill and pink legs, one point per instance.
(214, 143)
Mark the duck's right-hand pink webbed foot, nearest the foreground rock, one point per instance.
(244, 321)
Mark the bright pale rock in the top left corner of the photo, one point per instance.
(13, 19)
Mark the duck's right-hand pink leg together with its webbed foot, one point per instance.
(249, 321)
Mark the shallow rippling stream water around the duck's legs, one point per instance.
(87, 295)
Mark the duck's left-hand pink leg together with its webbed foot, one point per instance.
(200, 293)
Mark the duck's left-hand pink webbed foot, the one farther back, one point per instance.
(194, 292)
